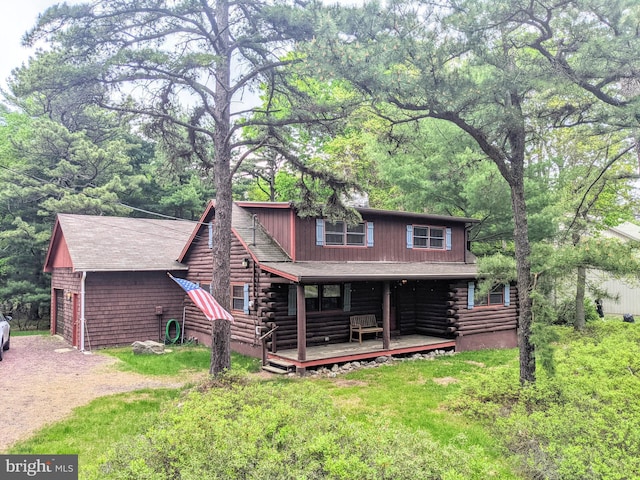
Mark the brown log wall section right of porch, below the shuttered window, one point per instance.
(481, 319)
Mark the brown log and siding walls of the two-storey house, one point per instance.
(435, 308)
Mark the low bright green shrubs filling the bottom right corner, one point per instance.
(582, 423)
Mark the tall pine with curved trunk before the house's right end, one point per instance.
(490, 68)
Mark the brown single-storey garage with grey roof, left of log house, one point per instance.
(109, 283)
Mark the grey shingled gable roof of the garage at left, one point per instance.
(102, 243)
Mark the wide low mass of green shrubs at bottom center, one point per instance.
(281, 430)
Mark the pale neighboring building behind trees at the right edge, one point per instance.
(627, 291)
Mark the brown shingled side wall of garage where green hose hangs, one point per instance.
(120, 307)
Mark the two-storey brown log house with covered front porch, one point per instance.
(298, 282)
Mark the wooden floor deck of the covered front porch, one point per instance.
(354, 351)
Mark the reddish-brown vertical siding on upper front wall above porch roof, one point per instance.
(390, 244)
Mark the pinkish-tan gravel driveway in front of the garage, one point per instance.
(42, 379)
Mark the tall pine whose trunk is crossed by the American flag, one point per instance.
(188, 67)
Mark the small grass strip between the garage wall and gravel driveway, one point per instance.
(178, 360)
